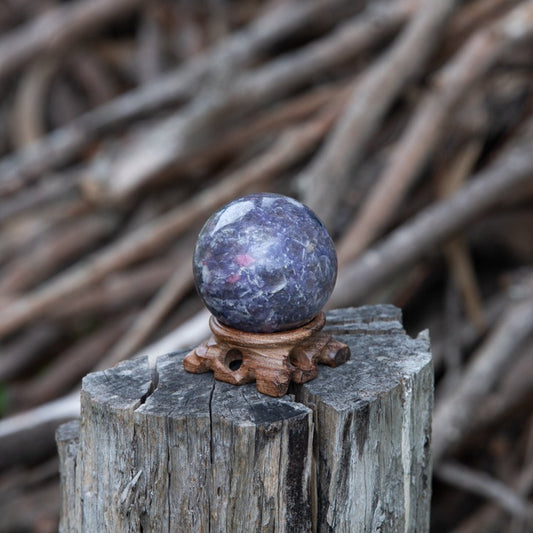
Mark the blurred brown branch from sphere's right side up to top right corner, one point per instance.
(426, 127)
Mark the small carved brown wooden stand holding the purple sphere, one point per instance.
(272, 360)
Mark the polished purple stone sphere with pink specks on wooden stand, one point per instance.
(264, 263)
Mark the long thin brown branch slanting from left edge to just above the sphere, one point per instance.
(289, 149)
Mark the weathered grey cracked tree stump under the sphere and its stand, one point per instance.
(168, 451)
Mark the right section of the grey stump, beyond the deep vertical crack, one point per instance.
(372, 423)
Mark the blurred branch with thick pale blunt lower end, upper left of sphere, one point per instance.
(153, 153)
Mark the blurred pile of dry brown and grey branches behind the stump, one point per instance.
(407, 125)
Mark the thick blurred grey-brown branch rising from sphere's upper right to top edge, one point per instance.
(370, 100)
